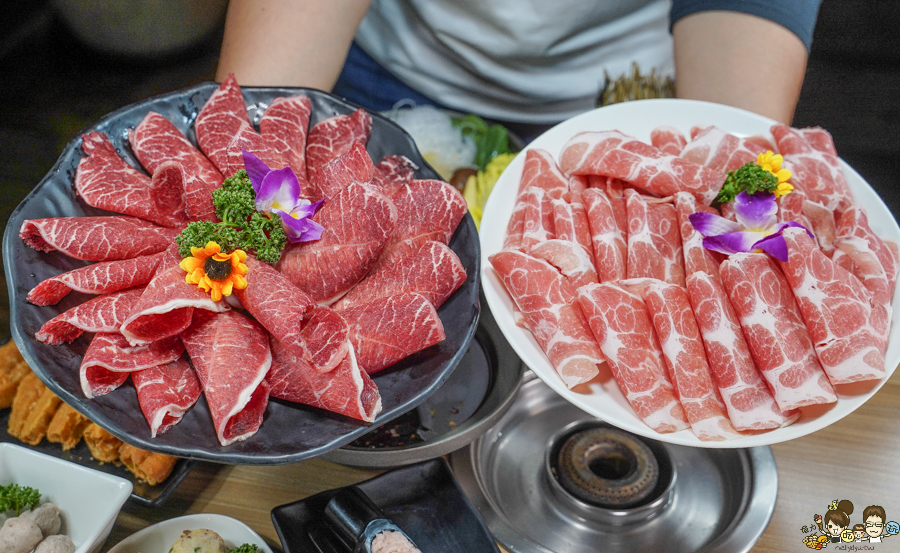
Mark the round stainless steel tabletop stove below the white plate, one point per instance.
(598, 497)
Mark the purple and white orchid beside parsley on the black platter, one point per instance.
(278, 191)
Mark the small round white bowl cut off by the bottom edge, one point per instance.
(160, 537)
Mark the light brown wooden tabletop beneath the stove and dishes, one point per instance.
(853, 459)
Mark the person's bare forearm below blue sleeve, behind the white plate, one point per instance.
(741, 60)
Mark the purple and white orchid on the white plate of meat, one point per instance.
(756, 228)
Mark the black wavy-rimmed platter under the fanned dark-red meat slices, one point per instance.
(289, 432)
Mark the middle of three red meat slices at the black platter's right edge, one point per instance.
(433, 270)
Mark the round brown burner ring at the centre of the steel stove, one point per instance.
(607, 468)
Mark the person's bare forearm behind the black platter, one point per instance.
(288, 42)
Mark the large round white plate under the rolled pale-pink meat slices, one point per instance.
(601, 397)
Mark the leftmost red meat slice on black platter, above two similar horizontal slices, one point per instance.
(97, 238)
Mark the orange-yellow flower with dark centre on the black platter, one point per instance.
(215, 272)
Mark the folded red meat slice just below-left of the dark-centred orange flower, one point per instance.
(165, 308)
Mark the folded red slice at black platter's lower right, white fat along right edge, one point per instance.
(346, 390)
